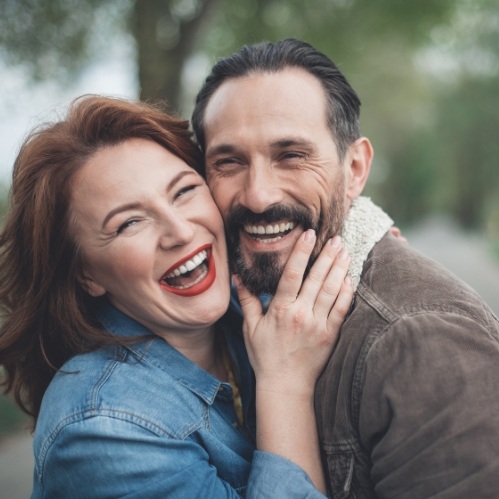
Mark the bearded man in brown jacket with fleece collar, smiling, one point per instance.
(408, 404)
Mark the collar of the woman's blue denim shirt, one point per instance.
(157, 352)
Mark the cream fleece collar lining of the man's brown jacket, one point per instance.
(365, 224)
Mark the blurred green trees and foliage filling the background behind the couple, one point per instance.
(427, 73)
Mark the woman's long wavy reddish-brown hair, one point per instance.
(47, 315)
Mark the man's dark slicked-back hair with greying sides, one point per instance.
(266, 57)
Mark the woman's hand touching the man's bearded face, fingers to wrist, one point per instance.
(290, 345)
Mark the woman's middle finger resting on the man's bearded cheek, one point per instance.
(320, 271)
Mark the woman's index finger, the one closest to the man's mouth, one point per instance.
(292, 276)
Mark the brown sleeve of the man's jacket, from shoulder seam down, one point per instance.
(430, 408)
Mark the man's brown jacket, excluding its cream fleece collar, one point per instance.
(408, 405)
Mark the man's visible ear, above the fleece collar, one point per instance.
(359, 158)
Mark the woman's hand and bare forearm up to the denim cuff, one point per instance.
(290, 345)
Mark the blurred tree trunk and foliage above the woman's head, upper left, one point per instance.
(57, 38)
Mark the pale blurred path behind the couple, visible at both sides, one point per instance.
(465, 255)
